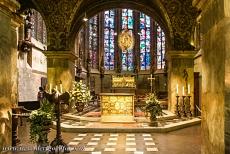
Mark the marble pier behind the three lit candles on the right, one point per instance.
(178, 63)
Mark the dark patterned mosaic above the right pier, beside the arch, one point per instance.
(183, 17)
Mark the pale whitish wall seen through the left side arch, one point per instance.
(30, 75)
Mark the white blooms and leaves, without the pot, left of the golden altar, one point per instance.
(80, 92)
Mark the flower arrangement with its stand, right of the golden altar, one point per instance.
(152, 108)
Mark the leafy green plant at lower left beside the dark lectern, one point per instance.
(40, 120)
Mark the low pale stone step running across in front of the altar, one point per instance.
(98, 127)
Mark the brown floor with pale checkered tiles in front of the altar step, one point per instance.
(184, 141)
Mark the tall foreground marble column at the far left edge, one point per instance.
(8, 63)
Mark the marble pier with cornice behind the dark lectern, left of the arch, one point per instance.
(60, 68)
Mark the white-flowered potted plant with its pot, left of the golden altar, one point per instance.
(80, 95)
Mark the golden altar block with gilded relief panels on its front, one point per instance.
(117, 107)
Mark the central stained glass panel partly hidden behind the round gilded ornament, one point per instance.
(127, 22)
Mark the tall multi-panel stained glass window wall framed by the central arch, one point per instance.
(149, 38)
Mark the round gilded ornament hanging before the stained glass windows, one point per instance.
(126, 40)
